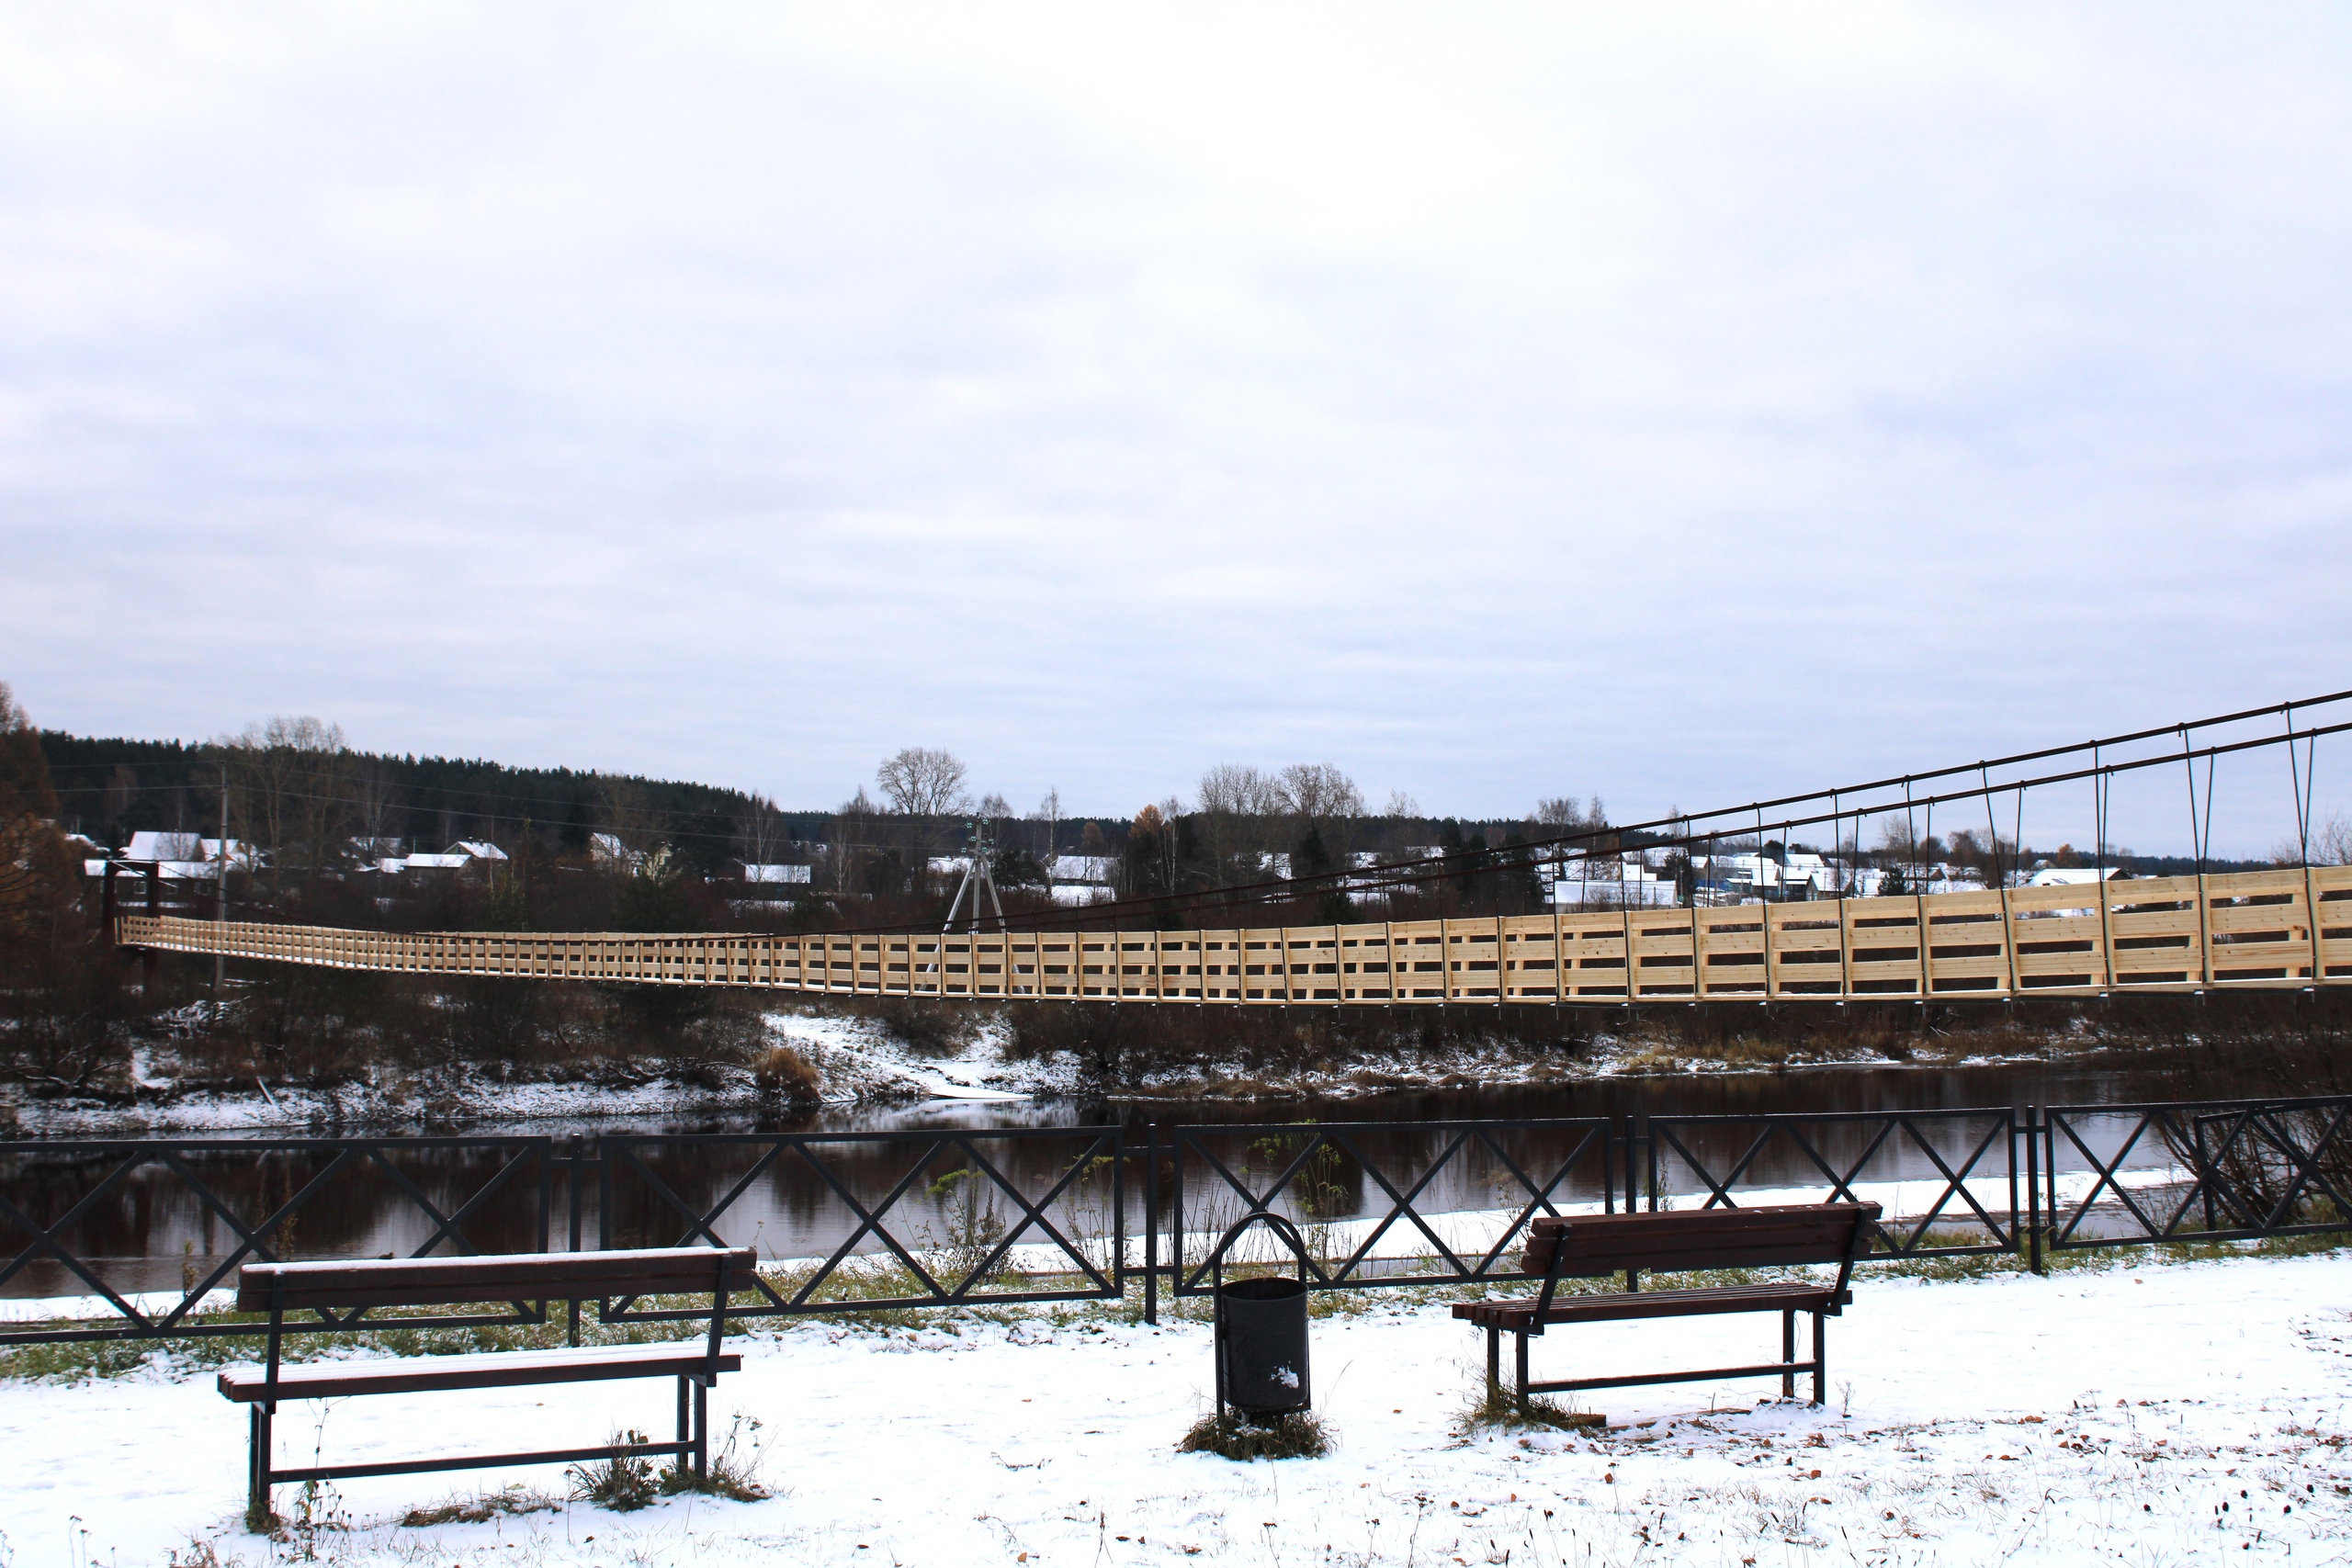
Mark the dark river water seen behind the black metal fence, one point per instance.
(180, 1212)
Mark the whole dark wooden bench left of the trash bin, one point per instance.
(356, 1287)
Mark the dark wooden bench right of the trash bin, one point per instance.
(1671, 1242)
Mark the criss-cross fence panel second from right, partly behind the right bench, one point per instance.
(1949, 1181)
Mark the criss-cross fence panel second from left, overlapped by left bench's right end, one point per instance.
(942, 1219)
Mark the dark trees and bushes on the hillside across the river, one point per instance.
(596, 852)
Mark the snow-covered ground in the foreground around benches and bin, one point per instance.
(2153, 1414)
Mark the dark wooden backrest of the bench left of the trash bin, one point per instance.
(441, 1282)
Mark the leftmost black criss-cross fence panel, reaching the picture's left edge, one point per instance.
(72, 1217)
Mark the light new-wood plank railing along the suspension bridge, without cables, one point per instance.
(2229, 932)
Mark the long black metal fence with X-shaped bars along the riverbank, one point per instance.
(135, 1238)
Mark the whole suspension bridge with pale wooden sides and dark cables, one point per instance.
(2266, 930)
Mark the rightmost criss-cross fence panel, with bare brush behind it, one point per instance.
(2198, 1172)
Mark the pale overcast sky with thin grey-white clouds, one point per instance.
(1678, 406)
